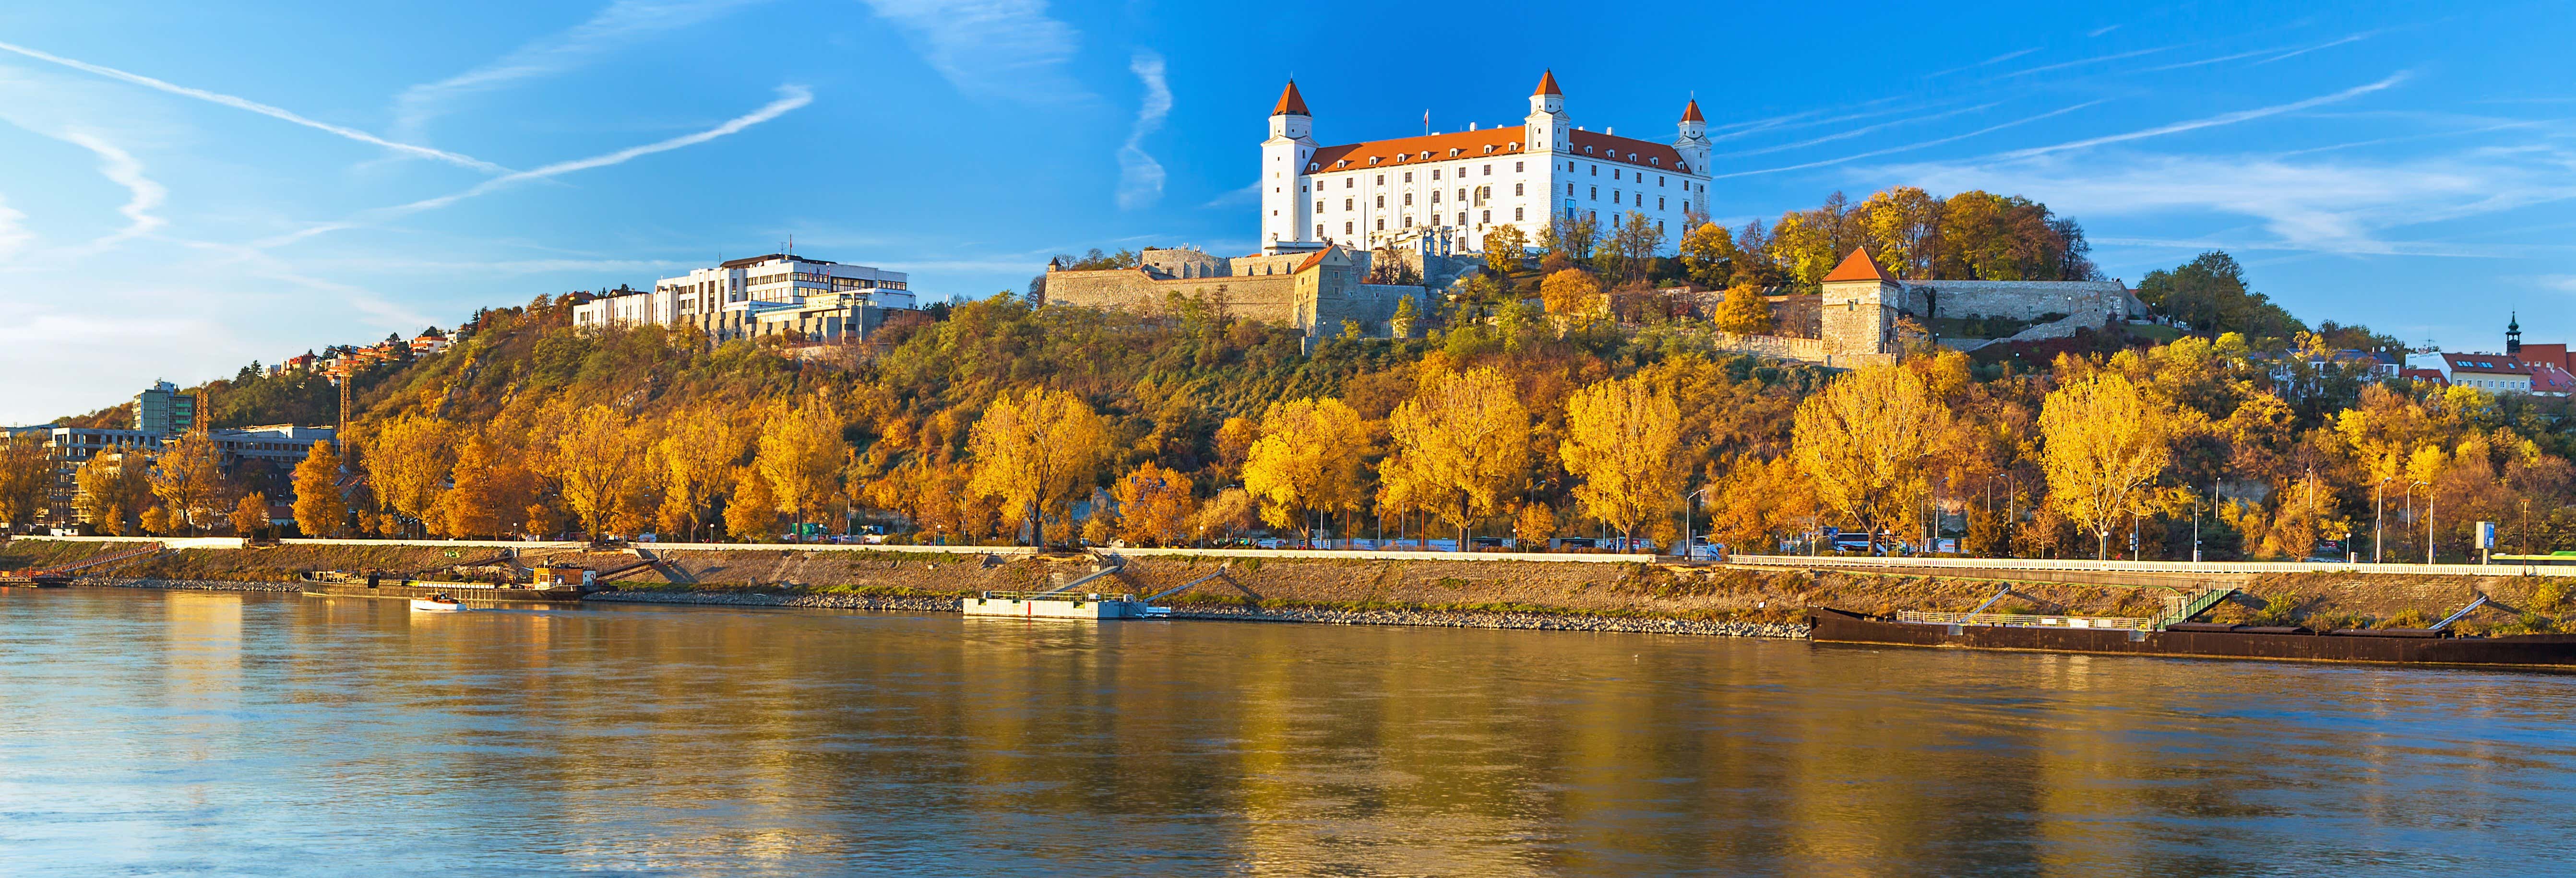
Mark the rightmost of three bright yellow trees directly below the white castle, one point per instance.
(1624, 442)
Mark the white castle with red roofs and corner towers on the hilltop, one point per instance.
(1459, 187)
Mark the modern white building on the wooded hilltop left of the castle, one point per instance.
(733, 297)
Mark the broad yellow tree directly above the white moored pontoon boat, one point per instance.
(1034, 454)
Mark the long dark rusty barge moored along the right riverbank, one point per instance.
(2191, 640)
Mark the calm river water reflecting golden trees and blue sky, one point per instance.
(184, 733)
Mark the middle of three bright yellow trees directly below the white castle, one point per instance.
(1462, 447)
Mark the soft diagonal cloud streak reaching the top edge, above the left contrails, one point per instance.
(607, 30)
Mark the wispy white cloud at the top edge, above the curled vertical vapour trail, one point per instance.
(990, 48)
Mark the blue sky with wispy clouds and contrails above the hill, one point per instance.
(192, 187)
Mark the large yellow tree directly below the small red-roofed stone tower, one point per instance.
(1864, 444)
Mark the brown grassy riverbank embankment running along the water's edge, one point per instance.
(1369, 591)
